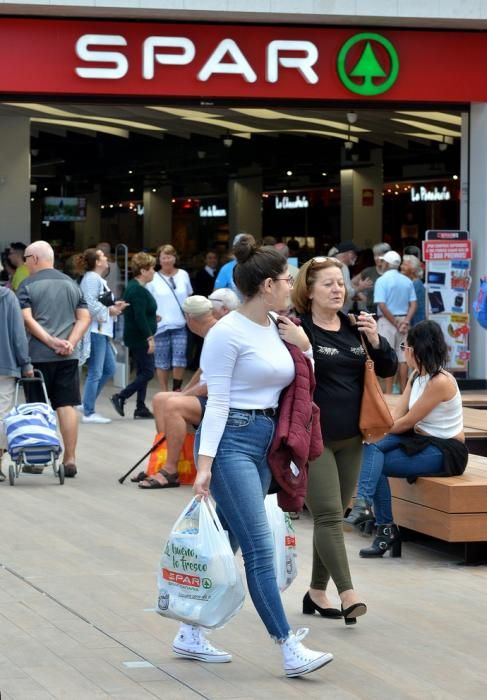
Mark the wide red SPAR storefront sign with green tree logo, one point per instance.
(44, 56)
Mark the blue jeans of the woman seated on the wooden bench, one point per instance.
(385, 458)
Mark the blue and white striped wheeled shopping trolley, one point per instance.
(32, 439)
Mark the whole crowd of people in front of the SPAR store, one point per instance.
(248, 359)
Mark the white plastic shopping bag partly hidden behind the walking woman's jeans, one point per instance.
(285, 554)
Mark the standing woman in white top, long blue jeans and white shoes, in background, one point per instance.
(103, 309)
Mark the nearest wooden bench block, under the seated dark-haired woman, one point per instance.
(452, 509)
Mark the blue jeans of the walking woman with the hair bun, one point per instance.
(240, 479)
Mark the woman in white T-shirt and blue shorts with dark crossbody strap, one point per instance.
(170, 287)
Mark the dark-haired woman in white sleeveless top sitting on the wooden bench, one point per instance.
(426, 439)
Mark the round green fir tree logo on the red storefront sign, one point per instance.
(363, 78)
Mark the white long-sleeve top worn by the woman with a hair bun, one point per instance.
(245, 365)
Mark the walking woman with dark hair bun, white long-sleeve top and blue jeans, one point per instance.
(246, 366)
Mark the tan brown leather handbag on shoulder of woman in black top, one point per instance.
(375, 419)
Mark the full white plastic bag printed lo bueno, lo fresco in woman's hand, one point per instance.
(199, 581)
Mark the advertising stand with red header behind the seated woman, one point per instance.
(448, 255)
